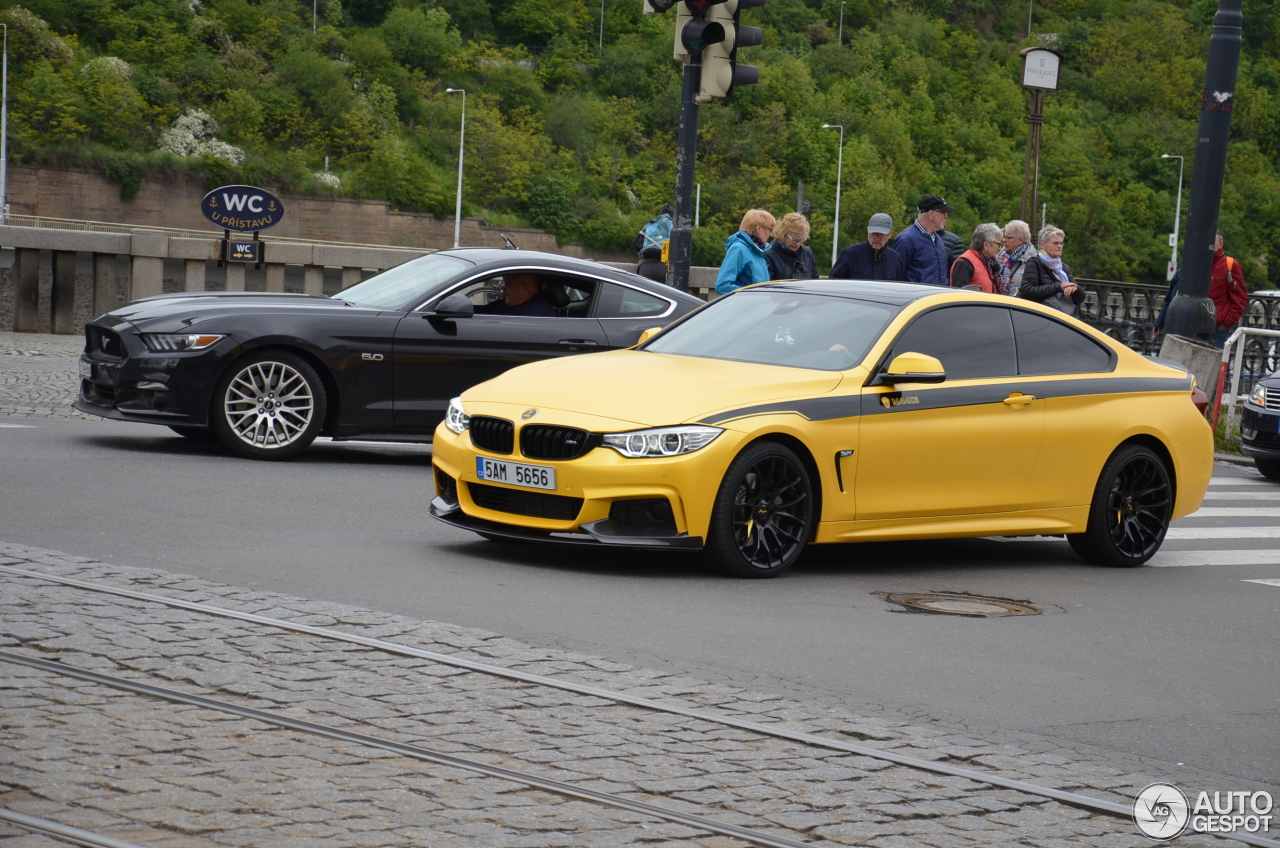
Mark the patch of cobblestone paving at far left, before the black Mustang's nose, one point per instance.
(38, 376)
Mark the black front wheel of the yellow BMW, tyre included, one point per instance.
(764, 514)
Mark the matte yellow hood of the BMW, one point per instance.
(650, 390)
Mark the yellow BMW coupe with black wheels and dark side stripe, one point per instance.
(801, 413)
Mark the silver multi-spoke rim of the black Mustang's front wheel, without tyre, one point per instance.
(269, 405)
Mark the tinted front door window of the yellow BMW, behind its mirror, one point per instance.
(970, 341)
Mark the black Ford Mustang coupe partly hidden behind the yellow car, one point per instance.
(267, 373)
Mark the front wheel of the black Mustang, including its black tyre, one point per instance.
(269, 407)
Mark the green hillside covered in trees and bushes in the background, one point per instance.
(579, 140)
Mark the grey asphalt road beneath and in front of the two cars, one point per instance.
(1174, 664)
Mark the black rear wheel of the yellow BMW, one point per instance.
(1131, 510)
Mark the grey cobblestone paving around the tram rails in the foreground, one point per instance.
(159, 774)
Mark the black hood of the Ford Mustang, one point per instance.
(184, 312)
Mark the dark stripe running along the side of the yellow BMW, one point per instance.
(826, 409)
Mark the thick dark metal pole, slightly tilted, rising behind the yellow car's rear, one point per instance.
(1192, 314)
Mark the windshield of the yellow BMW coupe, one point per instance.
(781, 329)
